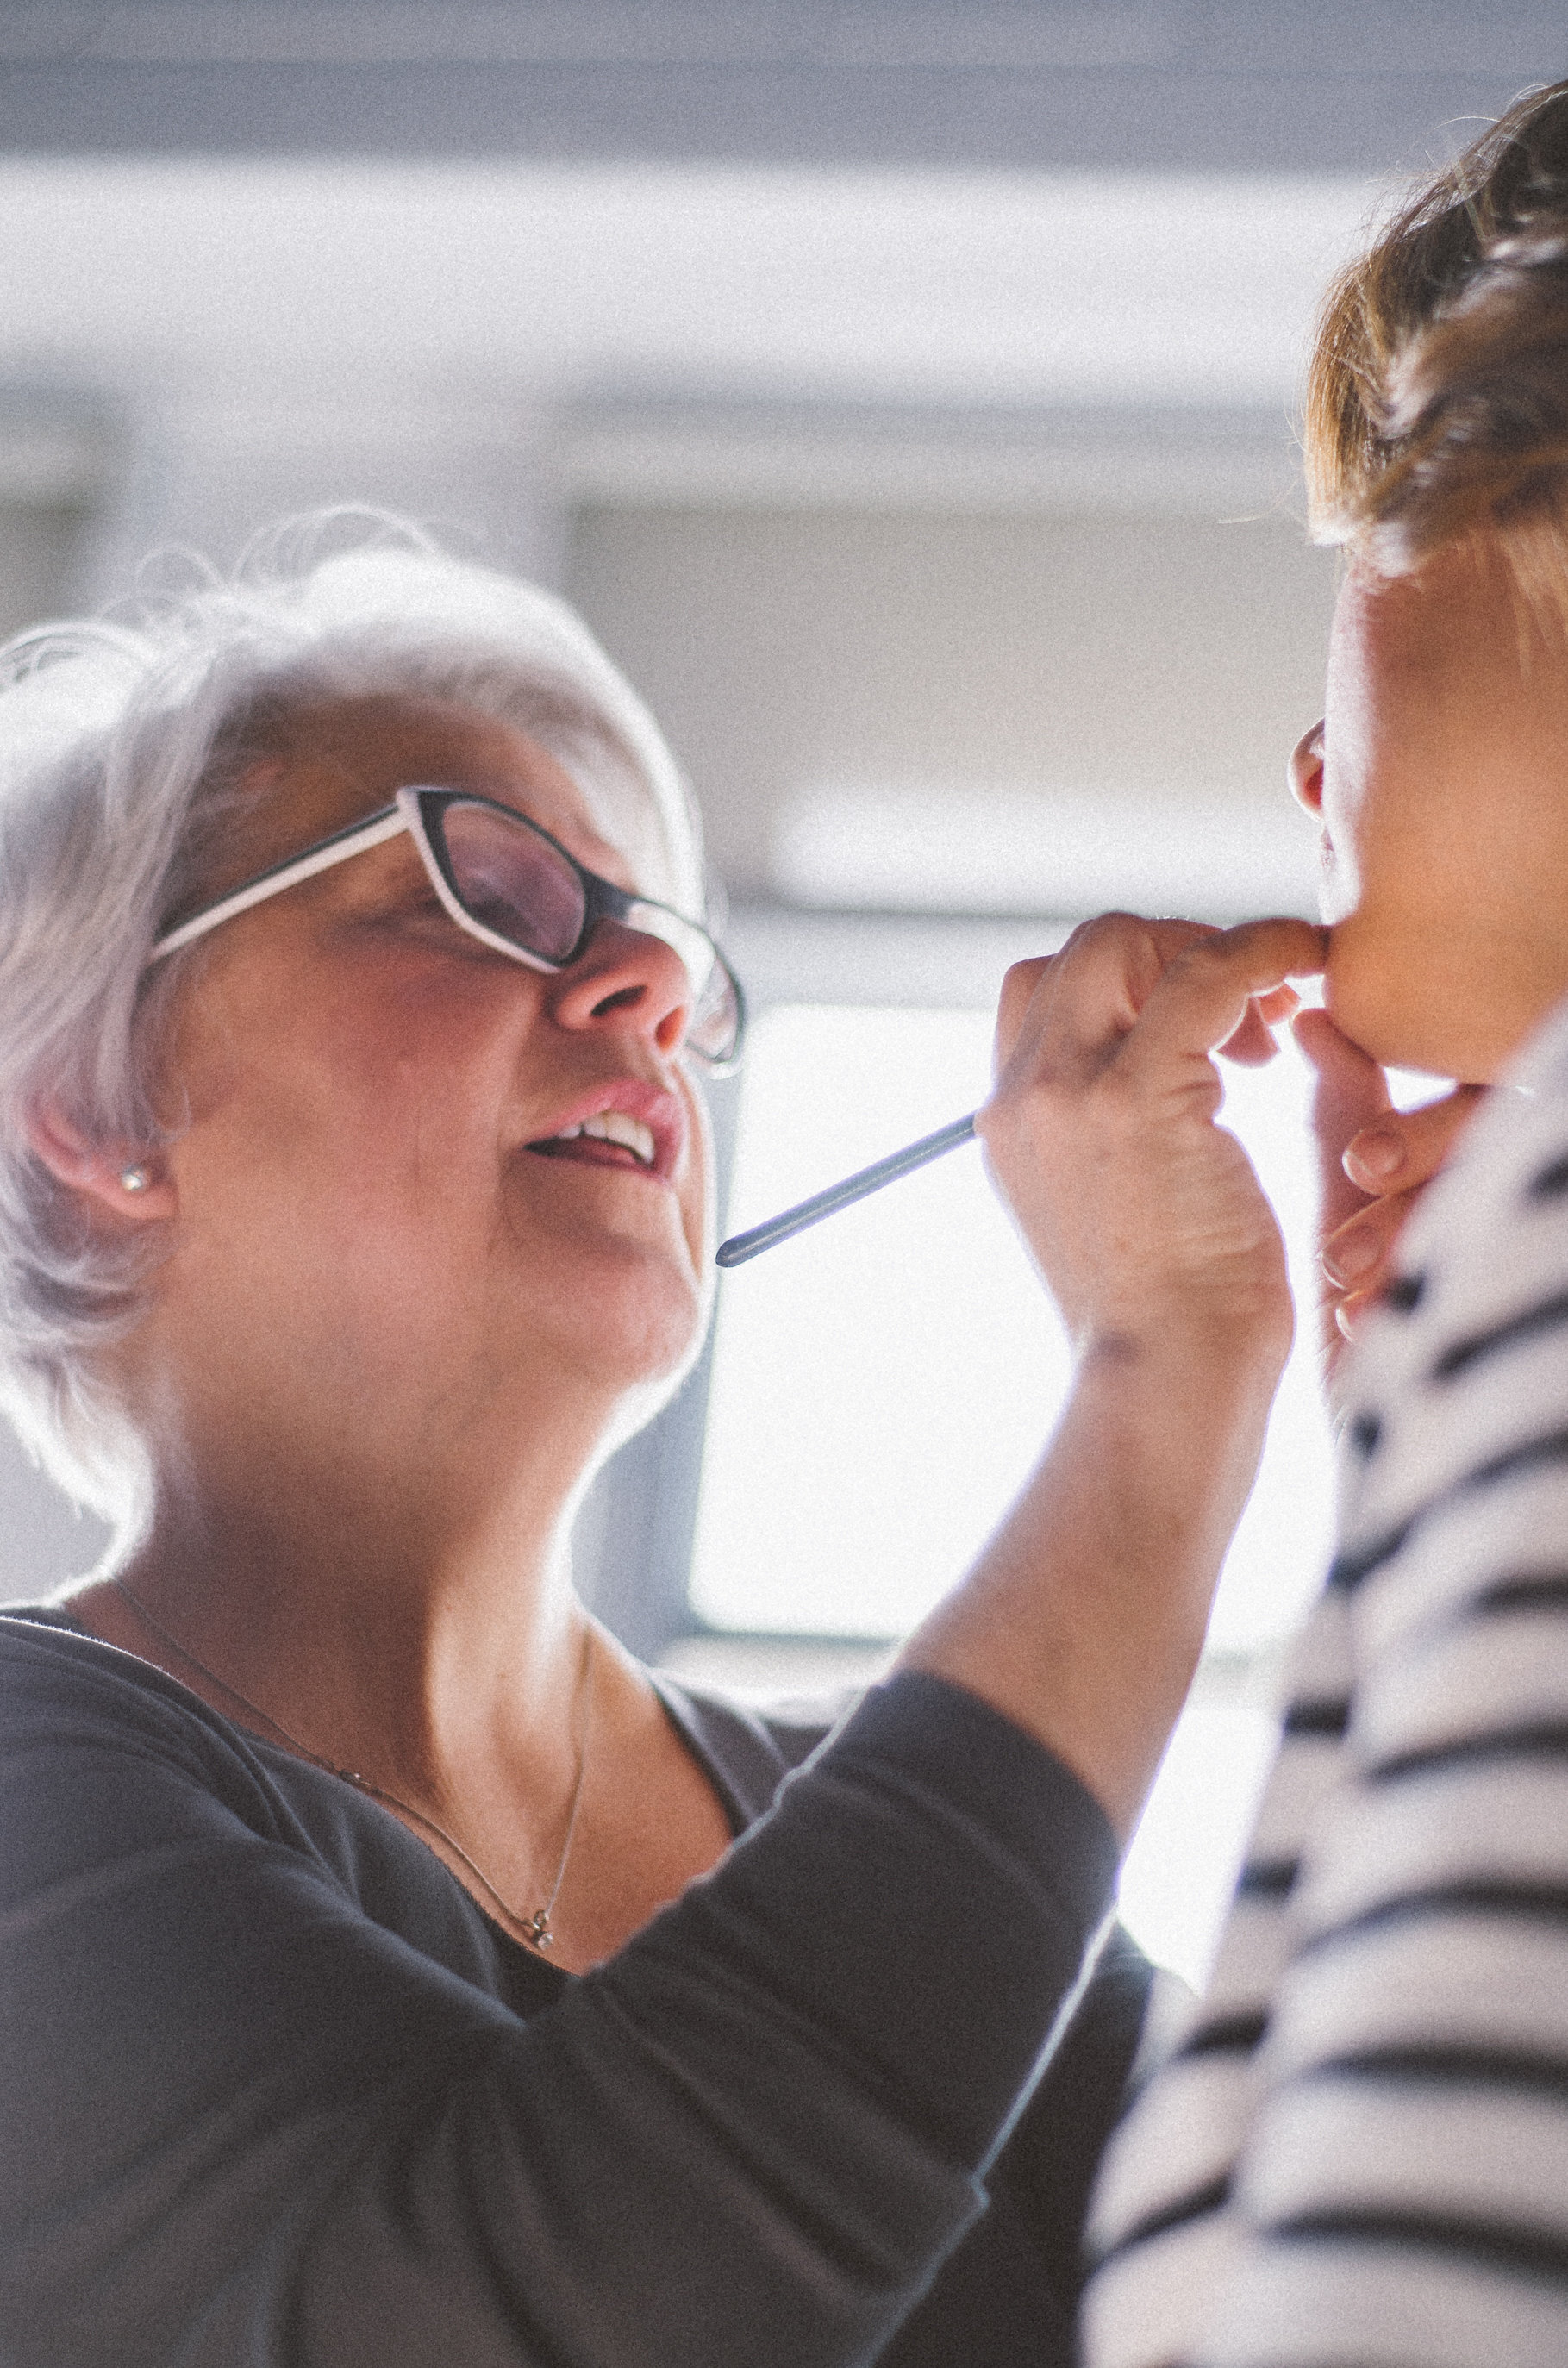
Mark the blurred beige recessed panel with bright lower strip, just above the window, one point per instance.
(977, 709)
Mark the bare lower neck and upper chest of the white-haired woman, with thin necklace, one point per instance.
(458, 1690)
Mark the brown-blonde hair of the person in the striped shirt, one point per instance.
(1439, 387)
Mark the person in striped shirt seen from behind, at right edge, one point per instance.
(1361, 2156)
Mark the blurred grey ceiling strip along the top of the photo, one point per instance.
(1008, 84)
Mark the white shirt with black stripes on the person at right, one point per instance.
(1361, 2151)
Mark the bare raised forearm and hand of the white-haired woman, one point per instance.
(1086, 1614)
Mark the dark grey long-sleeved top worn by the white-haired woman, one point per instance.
(281, 2094)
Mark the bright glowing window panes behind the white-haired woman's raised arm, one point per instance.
(885, 1382)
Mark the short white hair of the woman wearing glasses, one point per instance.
(122, 749)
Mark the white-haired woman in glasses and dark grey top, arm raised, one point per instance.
(392, 1969)
